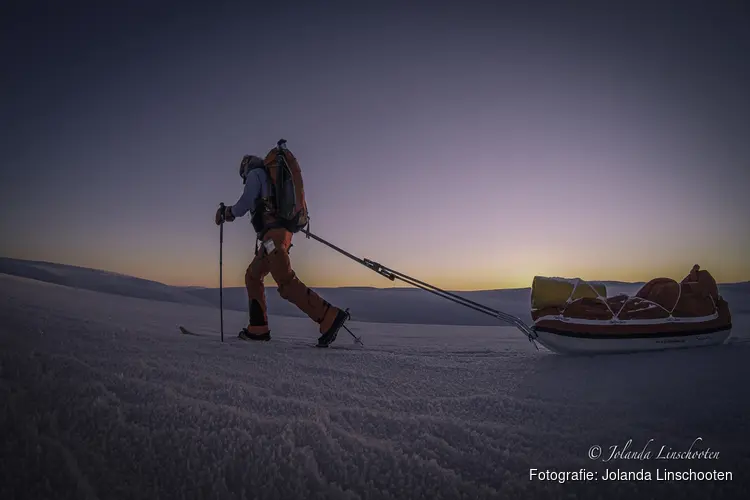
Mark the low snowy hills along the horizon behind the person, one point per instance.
(386, 305)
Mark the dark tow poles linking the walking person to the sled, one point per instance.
(395, 275)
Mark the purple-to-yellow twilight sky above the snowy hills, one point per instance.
(473, 145)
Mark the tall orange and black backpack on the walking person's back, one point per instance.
(287, 202)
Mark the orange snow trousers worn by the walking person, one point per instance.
(273, 257)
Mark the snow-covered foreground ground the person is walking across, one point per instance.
(105, 398)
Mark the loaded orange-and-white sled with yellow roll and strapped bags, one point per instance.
(663, 314)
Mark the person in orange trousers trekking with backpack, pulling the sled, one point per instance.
(274, 196)
